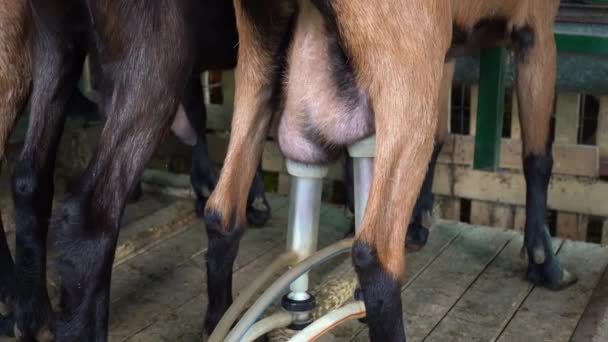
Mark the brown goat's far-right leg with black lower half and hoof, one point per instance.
(536, 68)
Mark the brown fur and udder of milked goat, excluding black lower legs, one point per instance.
(408, 83)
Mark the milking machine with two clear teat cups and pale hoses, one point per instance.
(299, 306)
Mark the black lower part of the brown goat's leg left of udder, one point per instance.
(222, 249)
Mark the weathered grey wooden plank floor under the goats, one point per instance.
(465, 285)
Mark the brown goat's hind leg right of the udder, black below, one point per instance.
(401, 68)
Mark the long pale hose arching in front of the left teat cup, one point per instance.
(275, 290)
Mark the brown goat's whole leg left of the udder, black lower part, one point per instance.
(262, 28)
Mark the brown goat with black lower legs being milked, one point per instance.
(390, 67)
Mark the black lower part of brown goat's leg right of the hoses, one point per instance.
(381, 294)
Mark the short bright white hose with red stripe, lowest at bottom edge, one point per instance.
(331, 320)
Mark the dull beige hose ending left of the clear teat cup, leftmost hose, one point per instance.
(223, 327)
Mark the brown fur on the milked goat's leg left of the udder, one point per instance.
(252, 110)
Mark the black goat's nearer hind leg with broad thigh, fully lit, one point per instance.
(148, 80)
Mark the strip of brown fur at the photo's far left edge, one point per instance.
(15, 69)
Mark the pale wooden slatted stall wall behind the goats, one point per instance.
(578, 194)
